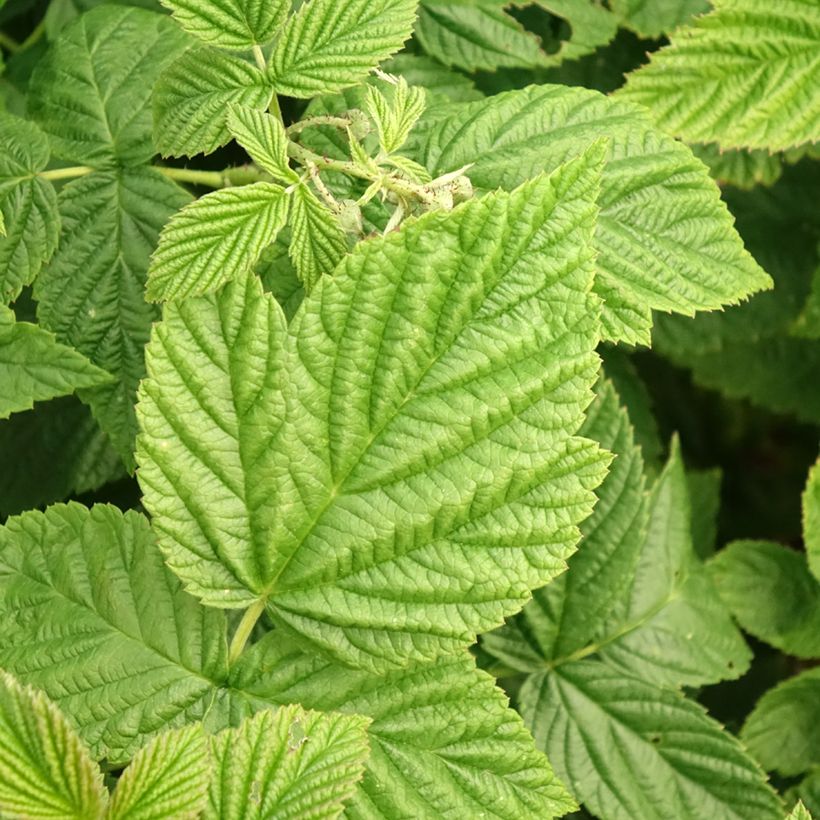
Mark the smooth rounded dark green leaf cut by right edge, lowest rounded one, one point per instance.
(783, 731)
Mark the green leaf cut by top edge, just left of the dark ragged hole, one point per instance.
(476, 36)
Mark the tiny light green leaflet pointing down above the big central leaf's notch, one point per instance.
(317, 242)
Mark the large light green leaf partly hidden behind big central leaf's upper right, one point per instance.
(665, 240)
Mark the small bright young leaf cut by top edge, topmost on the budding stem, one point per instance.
(237, 24)
